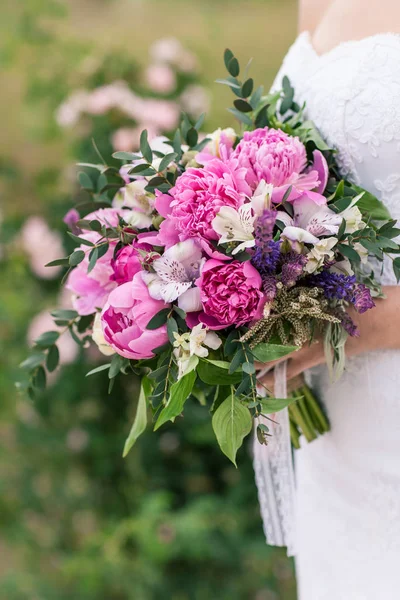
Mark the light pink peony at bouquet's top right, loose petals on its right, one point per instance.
(279, 159)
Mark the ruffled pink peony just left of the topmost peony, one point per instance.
(196, 199)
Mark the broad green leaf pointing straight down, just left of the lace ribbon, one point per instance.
(231, 423)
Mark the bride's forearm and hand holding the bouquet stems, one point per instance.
(379, 329)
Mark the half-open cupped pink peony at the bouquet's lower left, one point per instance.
(125, 317)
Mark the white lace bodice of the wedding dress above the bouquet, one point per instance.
(352, 94)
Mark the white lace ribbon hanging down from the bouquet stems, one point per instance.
(273, 466)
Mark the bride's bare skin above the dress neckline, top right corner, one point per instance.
(345, 21)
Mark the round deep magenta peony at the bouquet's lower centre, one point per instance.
(230, 294)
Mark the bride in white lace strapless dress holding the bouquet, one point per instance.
(346, 67)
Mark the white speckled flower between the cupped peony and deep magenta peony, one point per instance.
(175, 271)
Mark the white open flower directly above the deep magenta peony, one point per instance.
(235, 226)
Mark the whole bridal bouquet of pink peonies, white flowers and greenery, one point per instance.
(204, 254)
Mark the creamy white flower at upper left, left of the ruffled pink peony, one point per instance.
(140, 203)
